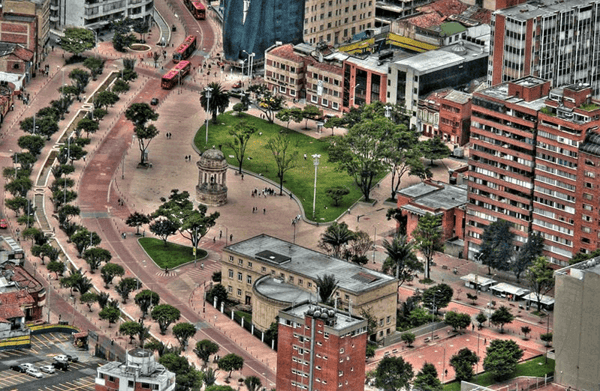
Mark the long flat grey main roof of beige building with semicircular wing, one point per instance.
(312, 264)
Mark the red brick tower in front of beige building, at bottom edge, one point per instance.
(320, 349)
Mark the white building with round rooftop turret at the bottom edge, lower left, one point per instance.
(139, 372)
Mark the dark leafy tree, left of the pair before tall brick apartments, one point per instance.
(496, 245)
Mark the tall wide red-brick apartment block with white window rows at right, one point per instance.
(533, 162)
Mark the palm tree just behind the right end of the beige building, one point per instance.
(401, 260)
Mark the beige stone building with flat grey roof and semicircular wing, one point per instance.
(246, 266)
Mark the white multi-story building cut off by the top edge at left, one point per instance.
(97, 14)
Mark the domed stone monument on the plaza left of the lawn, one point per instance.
(212, 178)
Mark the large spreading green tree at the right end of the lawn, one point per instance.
(360, 153)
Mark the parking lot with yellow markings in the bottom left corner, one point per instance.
(79, 376)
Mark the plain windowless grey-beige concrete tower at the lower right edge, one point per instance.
(576, 318)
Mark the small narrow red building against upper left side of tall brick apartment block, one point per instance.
(455, 117)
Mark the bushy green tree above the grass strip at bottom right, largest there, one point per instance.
(501, 358)
